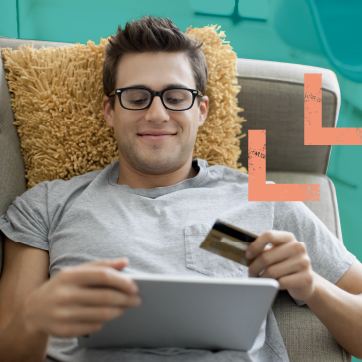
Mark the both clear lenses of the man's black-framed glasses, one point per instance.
(176, 99)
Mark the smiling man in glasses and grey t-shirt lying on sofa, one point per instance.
(155, 206)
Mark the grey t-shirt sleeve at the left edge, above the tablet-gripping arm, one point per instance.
(26, 220)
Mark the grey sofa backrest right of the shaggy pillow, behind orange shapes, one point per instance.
(272, 96)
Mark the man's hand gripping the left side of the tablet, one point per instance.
(78, 300)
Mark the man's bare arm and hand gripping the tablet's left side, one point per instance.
(76, 301)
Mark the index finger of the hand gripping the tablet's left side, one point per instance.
(98, 276)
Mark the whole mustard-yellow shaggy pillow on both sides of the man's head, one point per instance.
(57, 102)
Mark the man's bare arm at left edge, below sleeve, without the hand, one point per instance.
(25, 268)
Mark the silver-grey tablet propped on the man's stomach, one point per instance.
(190, 312)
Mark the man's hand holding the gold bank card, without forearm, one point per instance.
(285, 260)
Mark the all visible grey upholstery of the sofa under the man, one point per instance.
(272, 96)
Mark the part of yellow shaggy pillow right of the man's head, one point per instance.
(218, 140)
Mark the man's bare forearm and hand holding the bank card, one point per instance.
(338, 306)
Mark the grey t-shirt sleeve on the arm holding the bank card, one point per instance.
(329, 257)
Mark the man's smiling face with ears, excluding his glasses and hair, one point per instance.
(155, 155)
